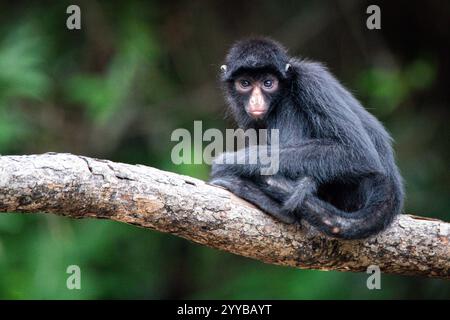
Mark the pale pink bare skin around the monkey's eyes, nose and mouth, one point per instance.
(257, 105)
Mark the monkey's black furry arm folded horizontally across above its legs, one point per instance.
(323, 159)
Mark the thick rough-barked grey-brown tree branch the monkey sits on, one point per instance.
(82, 187)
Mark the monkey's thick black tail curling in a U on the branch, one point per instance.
(382, 204)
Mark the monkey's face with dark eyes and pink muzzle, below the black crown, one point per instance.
(256, 93)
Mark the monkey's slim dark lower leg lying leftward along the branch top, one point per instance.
(250, 191)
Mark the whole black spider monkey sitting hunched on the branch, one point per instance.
(336, 164)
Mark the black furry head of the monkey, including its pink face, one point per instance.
(255, 75)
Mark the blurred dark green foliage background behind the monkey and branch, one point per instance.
(138, 70)
